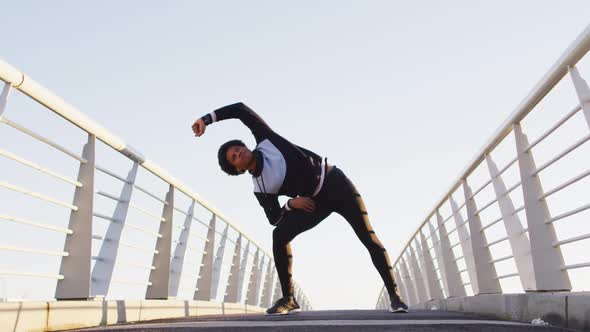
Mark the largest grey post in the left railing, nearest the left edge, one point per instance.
(76, 266)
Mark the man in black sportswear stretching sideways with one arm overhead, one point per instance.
(316, 188)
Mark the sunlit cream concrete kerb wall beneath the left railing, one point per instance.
(59, 315)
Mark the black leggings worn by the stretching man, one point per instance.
(338, 195)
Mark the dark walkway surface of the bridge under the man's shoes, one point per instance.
(341, 320)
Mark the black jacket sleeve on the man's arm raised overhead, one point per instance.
(240, 111)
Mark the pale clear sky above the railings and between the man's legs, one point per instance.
(398, 94)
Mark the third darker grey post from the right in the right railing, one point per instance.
(450, 277)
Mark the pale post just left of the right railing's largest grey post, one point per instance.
(519, 241)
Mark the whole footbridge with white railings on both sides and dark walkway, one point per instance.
(110, 241)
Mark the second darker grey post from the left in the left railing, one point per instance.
(160, 276)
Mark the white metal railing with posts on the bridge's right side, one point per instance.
(441, 260)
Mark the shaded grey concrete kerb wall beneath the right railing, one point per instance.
(563, 309)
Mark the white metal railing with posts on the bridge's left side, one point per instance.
(88, 258)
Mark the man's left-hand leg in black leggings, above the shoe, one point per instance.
(293, 224)
